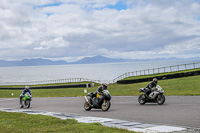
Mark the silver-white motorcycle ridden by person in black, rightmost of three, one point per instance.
(156, 96)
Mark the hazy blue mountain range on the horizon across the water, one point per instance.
(86, 60)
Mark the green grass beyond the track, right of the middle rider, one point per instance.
(179, 86)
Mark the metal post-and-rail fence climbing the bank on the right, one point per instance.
(158, 70)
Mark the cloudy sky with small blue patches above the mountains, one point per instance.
(73, 29)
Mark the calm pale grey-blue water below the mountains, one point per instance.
(104, 72)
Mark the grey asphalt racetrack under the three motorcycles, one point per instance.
(183, 111)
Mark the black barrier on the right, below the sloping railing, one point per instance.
(170, 76)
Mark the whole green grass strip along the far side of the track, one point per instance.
(179, 86)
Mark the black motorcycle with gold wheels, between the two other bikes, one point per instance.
(92, 101)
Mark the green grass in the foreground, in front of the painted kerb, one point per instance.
(24, 123)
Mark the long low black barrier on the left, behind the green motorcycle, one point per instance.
(53, 87)
